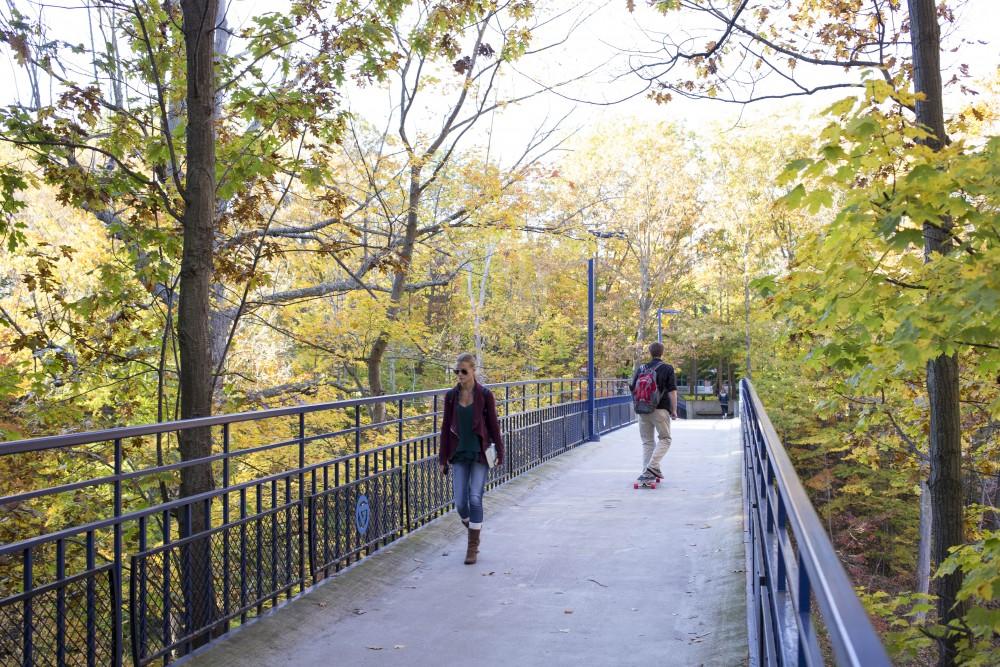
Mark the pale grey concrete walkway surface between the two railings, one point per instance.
(576, 568)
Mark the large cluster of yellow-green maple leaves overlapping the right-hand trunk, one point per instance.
(869, 258)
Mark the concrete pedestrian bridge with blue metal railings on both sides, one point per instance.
(356, 559)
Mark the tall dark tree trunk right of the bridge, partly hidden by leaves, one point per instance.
(942, 373)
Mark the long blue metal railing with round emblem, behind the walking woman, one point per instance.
(112, 576)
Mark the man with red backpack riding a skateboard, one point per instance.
(654, 393)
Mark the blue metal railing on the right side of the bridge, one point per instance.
(791, 562)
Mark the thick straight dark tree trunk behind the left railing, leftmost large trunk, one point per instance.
(193, 331)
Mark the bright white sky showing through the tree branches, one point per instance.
(594, 36)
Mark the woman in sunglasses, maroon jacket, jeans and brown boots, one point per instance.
(469, 426)
